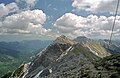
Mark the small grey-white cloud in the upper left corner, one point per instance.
(6, 9)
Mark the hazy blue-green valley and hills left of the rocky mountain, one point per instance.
(12, 54)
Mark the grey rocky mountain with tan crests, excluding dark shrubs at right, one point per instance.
(65, 58)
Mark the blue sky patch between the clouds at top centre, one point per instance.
(54, 9)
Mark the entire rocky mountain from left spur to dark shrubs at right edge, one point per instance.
(65, 58)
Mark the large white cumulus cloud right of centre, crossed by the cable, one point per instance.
(92, 25)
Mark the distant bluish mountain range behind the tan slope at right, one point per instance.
(113, 48)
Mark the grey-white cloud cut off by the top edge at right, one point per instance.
(95, 6)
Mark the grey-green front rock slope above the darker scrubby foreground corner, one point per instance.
(70, 66)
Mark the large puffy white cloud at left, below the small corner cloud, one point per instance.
(26, 22)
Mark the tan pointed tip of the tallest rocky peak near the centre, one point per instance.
(64, 40)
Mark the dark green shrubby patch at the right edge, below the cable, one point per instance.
(111, 62)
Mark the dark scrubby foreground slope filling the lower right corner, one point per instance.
(108, 67)
